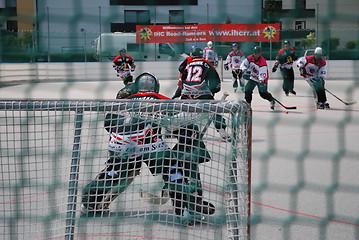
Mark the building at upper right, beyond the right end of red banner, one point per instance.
(326, 19)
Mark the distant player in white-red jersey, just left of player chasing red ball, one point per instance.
(234, 61)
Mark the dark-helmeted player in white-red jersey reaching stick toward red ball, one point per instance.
(257, 65)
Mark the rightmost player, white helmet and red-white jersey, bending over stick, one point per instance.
(314, 69)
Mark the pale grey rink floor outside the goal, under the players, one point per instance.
(305, 162)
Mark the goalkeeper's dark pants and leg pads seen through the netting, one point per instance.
(179, 171)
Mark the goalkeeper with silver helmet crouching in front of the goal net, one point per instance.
(135, 140)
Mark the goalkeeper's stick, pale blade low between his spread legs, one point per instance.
(153, 198)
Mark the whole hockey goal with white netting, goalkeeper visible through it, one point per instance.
(70, 169)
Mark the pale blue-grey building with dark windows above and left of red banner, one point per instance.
(62, 24)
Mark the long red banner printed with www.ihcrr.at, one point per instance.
(208, 32)
